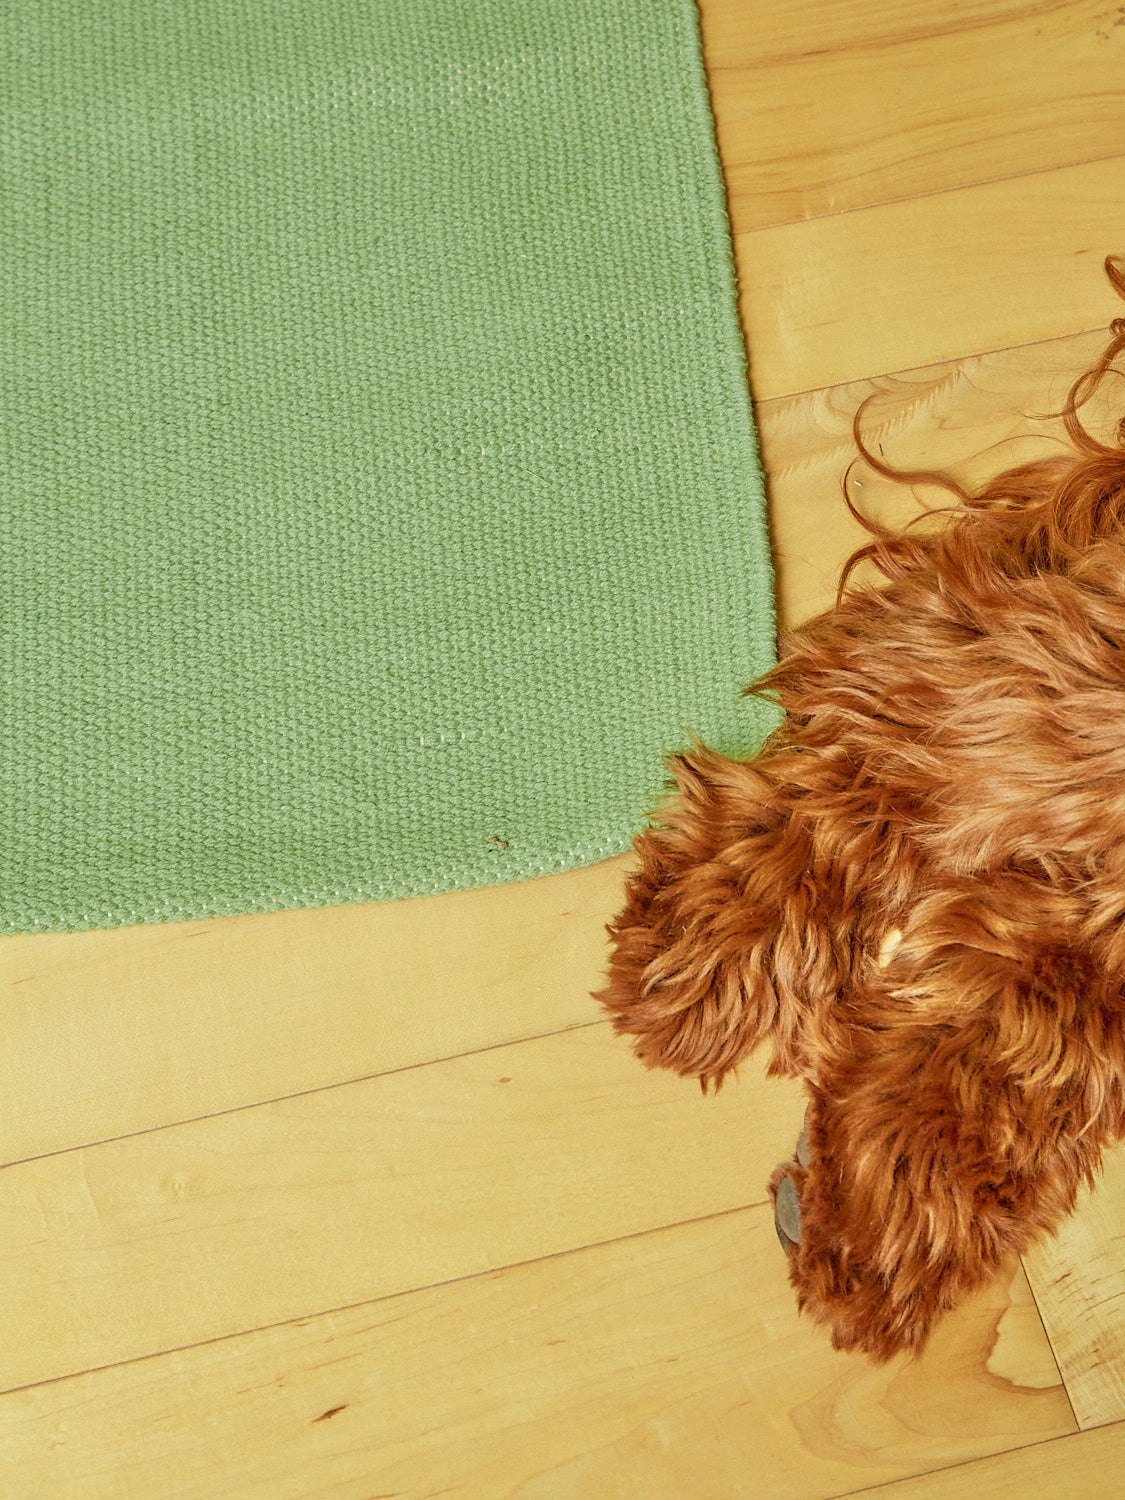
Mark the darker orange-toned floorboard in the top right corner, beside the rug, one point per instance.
(832, 107)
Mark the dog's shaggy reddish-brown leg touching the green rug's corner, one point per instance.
(721, 943)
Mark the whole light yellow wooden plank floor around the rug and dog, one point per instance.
(368, 1202)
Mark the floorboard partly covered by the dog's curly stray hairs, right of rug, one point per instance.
(970, 419)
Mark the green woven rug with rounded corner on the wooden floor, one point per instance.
(379, 484)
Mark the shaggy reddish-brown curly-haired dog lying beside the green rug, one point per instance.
(917, 893)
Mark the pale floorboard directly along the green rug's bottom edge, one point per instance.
(112, 1033)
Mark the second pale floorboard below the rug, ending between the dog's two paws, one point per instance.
(346, 1195)
